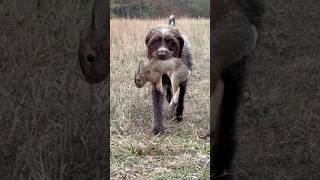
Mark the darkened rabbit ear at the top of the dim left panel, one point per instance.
(99, 17)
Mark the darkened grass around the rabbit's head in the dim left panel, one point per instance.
(53, 124)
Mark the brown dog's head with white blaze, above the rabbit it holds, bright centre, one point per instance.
(164, 42)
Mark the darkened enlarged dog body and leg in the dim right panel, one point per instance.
(234, 37)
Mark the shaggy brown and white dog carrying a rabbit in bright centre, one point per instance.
(164, 42)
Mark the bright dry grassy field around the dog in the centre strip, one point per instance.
(179, 153)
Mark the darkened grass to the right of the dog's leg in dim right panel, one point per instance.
(279, 118)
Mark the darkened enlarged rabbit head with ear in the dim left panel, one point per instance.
(92, 52)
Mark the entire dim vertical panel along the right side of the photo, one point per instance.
(270, 131)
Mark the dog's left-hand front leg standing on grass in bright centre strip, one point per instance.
(157, 98)
